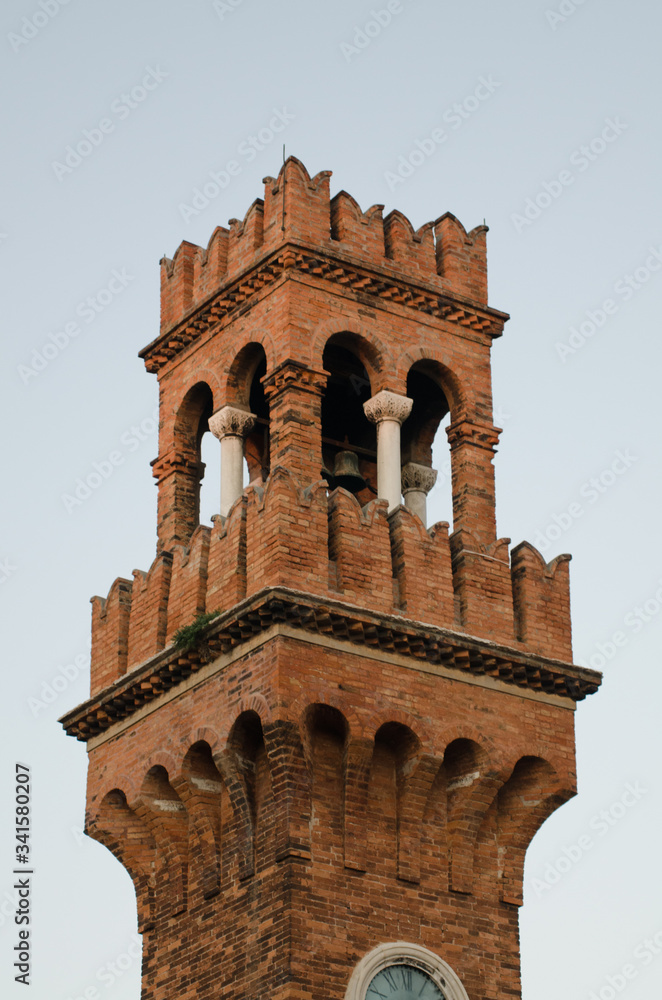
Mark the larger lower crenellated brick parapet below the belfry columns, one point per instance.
(322, 543)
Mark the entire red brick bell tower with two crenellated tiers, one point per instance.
(330, 792)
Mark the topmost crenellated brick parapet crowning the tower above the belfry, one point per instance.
(297, 210)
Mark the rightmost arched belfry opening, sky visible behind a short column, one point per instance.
(425, 446)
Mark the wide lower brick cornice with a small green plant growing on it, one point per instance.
(456, 651)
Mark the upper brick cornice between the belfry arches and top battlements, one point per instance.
(388, 284)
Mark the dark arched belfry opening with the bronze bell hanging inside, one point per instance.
(349, 439)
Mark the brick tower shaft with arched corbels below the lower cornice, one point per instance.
(332, 802)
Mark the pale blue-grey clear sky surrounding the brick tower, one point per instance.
(551, 124)
